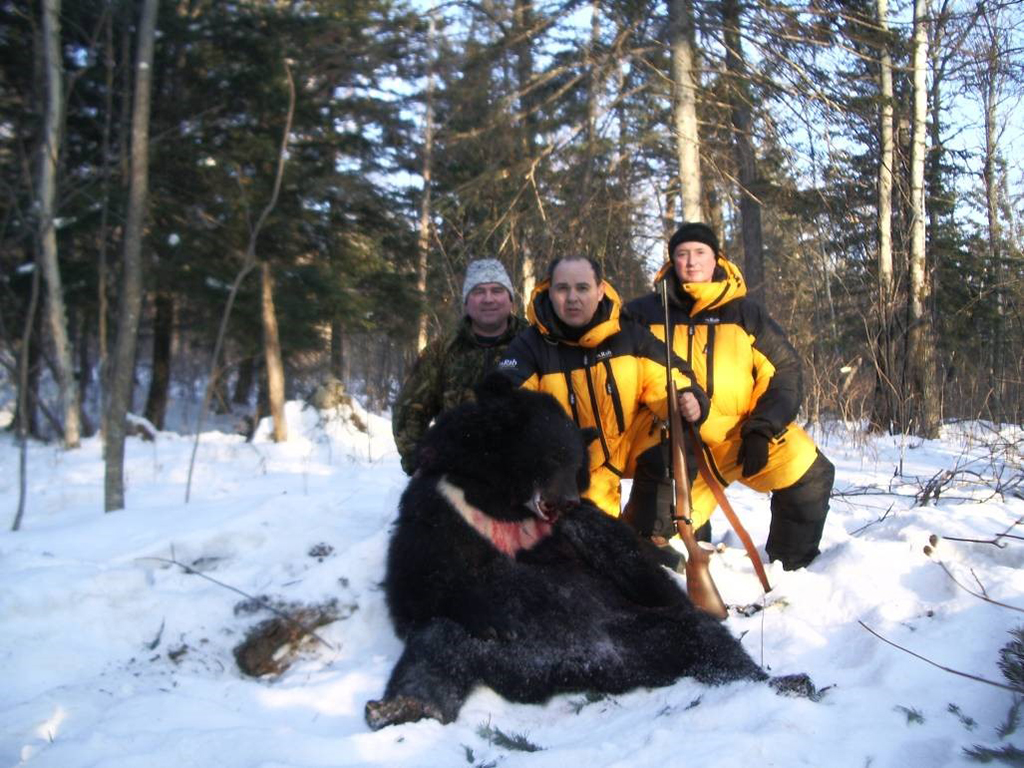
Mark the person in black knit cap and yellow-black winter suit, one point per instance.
(753, 376)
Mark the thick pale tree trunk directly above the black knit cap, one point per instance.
(685, 107)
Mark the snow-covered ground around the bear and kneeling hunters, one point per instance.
(114, 657)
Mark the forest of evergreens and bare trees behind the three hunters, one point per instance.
(240, 202)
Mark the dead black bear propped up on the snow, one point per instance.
(498, 575)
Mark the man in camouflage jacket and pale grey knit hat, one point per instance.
(449, 369)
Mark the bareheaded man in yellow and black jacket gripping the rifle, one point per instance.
(608, 372)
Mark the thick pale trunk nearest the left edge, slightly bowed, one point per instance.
(57, 315)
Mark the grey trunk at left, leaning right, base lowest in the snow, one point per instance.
(123, 363)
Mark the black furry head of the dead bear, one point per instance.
(515, 453)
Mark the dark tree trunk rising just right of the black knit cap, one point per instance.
(743, 148)
